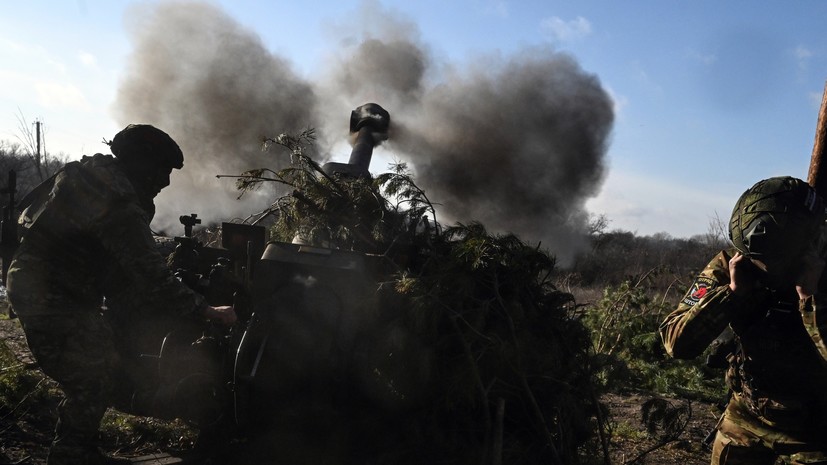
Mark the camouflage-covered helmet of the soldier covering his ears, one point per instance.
(775, 221)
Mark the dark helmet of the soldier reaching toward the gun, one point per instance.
(143, 144)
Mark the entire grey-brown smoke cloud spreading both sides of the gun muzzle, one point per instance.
(516, 142)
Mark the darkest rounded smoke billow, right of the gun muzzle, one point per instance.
(517, 144)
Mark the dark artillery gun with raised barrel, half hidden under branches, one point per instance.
(298, 375)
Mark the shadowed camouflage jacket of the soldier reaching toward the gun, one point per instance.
(86, 236)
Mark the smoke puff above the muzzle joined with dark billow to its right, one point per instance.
(516, 143)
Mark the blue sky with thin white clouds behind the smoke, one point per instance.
(708, 96)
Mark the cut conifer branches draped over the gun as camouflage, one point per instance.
(507, 351)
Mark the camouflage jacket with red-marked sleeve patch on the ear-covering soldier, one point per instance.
(776, 358)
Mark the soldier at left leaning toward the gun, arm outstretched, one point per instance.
(87, 236)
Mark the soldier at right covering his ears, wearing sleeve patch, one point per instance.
(760, 290)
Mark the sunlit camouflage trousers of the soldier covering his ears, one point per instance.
(744, 439)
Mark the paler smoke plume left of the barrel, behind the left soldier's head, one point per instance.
(215, 88)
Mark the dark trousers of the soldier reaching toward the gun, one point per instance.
(76, 350)
